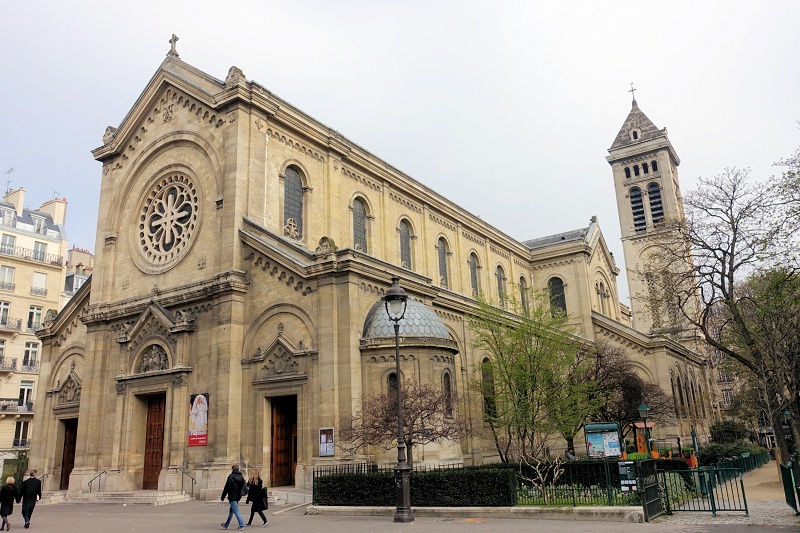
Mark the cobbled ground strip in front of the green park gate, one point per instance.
(762, 513)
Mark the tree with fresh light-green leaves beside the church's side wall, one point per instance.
(535, 378)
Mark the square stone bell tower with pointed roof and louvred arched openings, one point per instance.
(645, 169)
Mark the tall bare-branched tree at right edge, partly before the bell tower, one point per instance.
(730, 234)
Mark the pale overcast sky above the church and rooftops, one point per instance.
(506, 108)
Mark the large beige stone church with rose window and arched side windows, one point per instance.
(233, 316)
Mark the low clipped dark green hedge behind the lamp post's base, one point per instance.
(461, 487)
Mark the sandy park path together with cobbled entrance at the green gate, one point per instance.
(765, 501)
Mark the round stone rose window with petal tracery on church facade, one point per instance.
(168, 219)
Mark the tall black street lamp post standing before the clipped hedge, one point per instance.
(395, 300)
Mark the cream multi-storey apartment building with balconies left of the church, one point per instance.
(33, 245)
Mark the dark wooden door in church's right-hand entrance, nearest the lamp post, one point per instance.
(284, 441)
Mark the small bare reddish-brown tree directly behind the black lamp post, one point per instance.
(429, 415)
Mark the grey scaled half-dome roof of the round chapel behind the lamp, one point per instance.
(418, 321)
